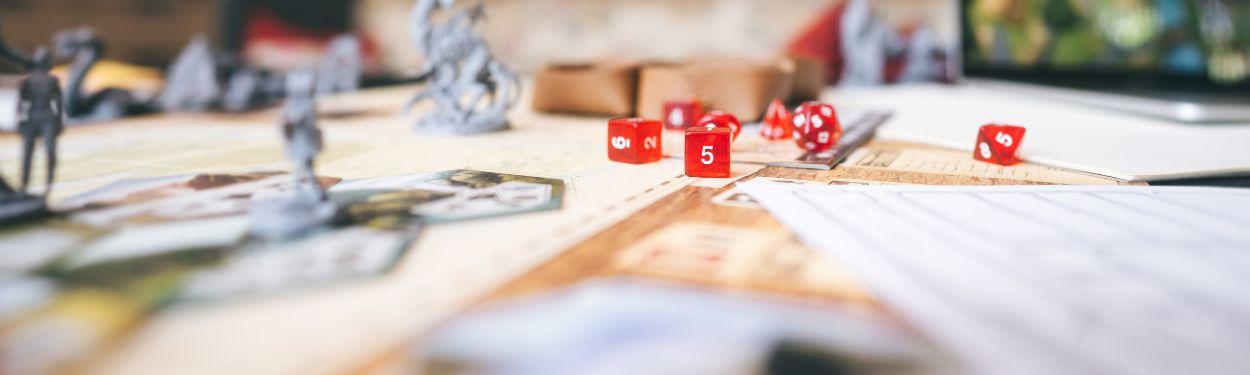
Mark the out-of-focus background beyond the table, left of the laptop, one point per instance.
(286, 33)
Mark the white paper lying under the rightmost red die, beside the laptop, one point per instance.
(1082, 138)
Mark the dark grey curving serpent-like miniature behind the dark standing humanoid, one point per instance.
(87, 48)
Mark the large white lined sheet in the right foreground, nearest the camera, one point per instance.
(1047, 279)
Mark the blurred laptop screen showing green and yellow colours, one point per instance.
(1172, 43)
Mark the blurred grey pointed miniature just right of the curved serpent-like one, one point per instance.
(192, 83)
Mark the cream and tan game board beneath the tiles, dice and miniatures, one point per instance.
(613, 217)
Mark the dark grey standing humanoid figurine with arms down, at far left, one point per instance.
(39, 114)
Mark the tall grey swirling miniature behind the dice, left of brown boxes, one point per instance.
(469, 88)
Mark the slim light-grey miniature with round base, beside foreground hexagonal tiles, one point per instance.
(307, 208)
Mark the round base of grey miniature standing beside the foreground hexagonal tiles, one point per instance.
(289, 218)
